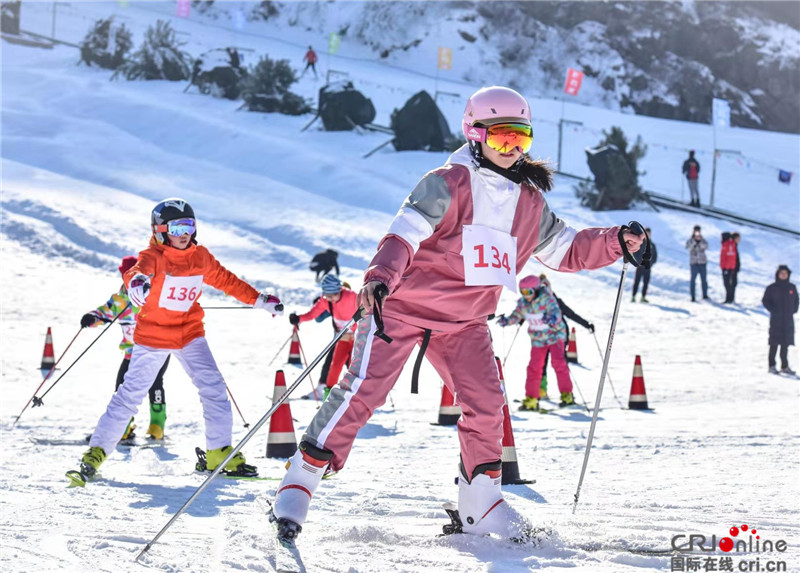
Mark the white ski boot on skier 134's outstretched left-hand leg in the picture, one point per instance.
(306, 468)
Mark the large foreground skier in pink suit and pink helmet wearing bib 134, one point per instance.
(459, 237)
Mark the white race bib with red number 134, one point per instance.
(490, 257)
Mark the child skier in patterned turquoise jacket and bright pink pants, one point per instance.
(547, 329)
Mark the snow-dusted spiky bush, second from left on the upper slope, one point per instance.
(159, 58)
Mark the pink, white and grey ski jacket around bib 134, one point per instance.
(420, 257)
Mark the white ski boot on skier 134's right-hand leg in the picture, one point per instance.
(483, 510)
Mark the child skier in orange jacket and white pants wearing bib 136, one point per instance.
(166, 283)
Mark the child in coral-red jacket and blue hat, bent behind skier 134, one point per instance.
(341, 303)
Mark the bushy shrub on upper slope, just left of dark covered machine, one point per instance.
(266, 88)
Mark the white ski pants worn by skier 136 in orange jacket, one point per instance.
(198, 363)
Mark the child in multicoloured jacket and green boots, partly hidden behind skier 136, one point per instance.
(119, 306)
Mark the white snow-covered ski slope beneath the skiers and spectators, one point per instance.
(84, 160)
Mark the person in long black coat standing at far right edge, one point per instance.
(781, 300)
